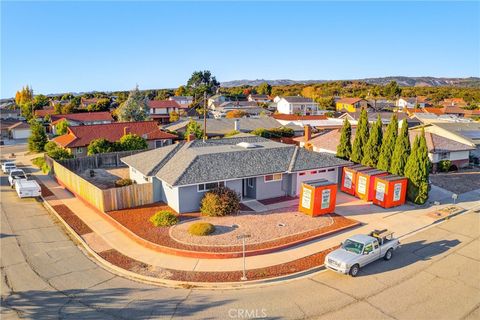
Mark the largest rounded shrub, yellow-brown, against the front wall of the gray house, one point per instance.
(220, 202)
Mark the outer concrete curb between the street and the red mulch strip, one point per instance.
(174, 283)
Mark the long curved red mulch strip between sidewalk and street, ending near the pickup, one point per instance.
(302, 264)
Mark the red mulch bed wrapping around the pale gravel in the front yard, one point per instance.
(136, 220)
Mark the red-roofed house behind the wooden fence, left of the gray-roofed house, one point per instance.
(78, 138)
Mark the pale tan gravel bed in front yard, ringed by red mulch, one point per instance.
(261, 227)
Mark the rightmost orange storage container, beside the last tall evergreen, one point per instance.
(390, 191)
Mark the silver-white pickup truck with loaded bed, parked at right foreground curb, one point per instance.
(360, 250)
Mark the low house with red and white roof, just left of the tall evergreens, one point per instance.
(320, 122)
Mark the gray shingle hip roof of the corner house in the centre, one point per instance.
(222, 159)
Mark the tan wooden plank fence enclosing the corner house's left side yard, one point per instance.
(108, 199)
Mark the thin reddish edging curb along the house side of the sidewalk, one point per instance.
(202, 254)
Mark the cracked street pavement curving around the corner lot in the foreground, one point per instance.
(435, 275)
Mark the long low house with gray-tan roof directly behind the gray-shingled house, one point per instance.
(220, 127)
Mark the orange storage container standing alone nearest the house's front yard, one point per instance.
(318, 197)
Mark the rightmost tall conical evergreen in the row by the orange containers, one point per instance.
(417, 171)
